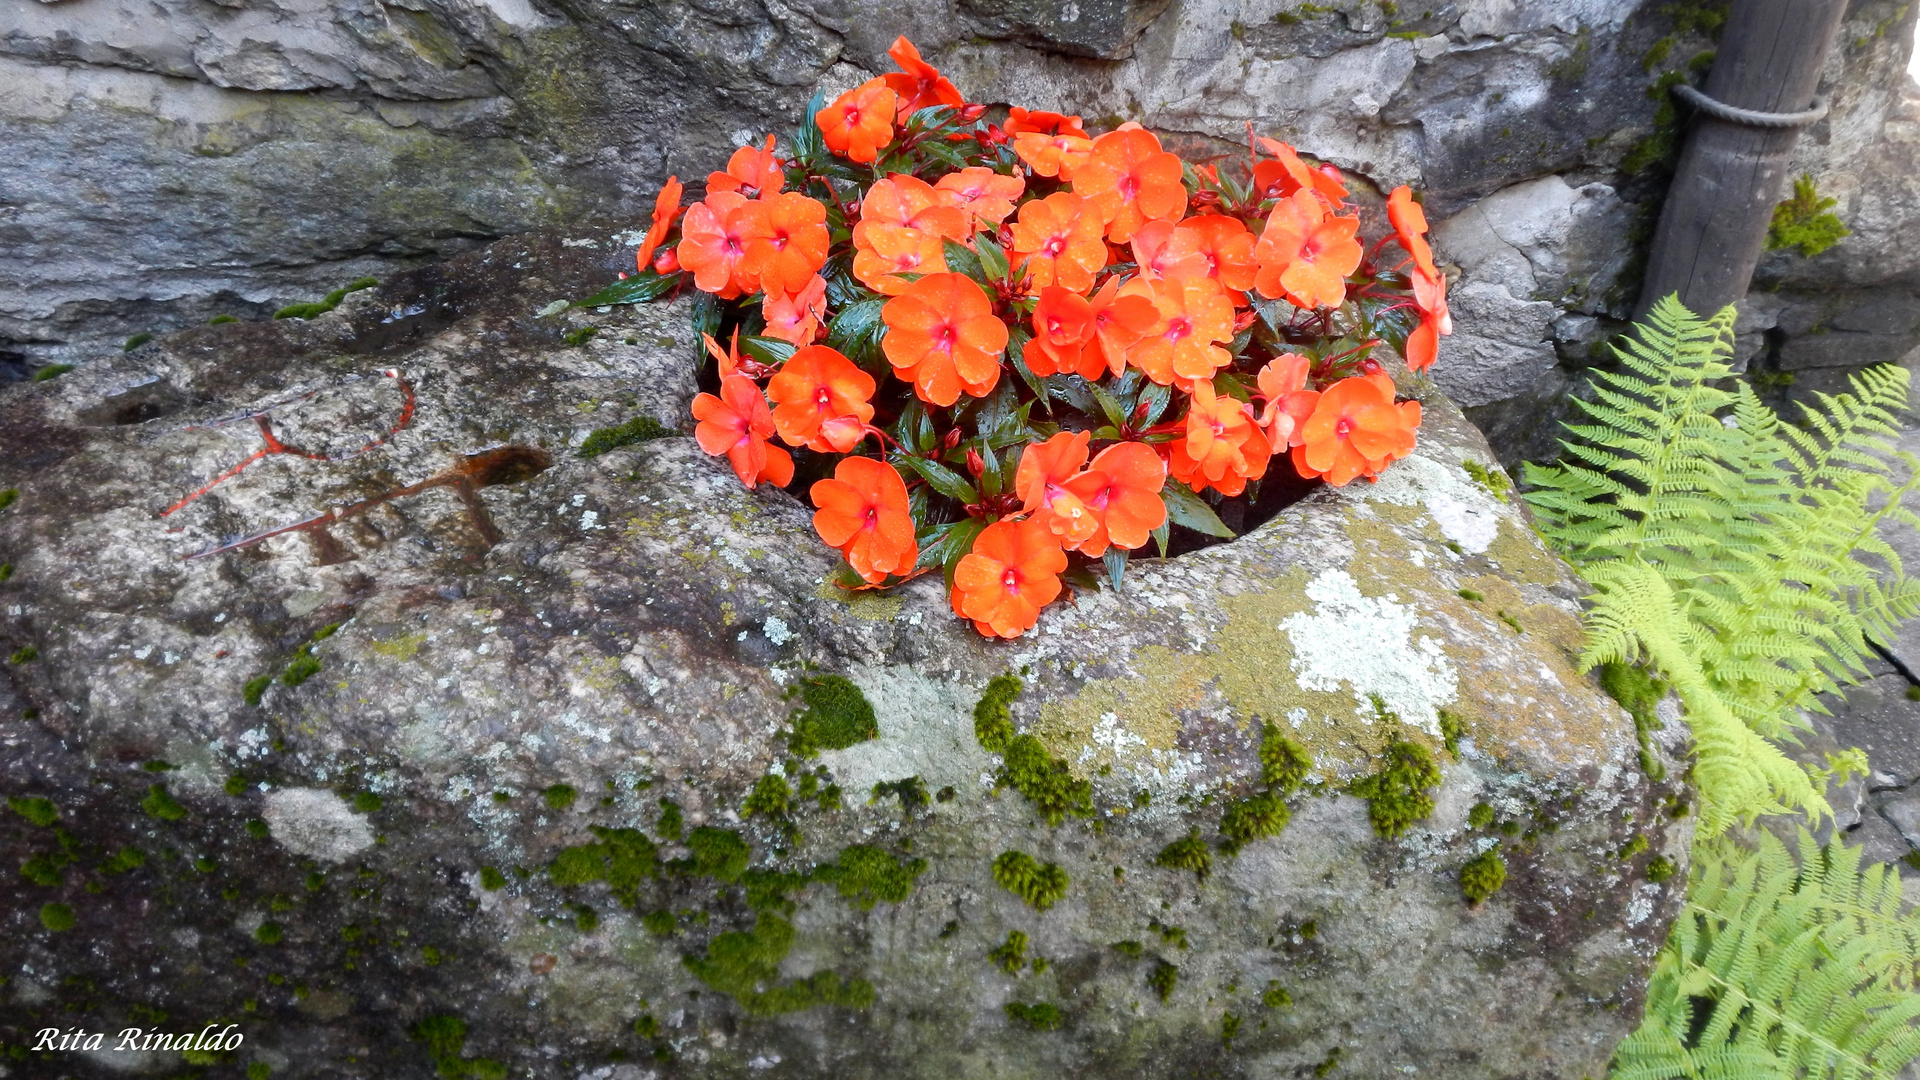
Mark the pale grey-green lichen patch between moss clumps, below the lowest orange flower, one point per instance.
(926, 729)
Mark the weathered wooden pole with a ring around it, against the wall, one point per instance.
(1735, 168)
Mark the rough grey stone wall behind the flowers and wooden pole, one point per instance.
(181, 159)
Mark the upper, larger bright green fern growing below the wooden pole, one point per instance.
(1737, 554)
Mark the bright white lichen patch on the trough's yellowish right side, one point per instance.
(1368, 645)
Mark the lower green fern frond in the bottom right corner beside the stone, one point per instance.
(1783, 968)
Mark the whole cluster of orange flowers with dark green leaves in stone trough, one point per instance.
(1084, 333)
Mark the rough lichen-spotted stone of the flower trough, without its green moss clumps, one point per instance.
(642, 618)
